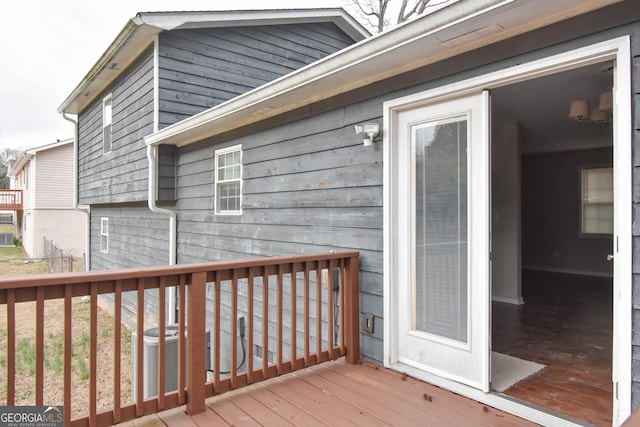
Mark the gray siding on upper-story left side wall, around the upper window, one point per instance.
(120, 176)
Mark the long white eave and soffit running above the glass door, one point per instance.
(450, 31)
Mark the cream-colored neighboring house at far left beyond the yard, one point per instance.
(45, 175)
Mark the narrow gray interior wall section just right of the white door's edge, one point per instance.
(505, 206)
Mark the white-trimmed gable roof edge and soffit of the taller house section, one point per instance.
(140, 32)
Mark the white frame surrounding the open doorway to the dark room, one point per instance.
(618, 50)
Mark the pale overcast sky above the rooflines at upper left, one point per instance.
(48, 46)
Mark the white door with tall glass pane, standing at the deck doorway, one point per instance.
(443, 304)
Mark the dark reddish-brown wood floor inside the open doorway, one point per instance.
(566, 323)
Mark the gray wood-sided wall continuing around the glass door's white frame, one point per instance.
(310, 185)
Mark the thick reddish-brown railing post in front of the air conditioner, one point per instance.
(196, 375)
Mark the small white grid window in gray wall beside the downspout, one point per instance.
(228, 177)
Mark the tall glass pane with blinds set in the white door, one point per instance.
(440, 286)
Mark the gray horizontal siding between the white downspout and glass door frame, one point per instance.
(308, 187)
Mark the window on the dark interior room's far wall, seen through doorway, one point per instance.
(597, 201)
